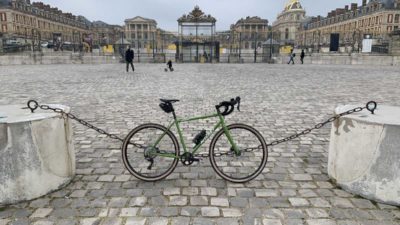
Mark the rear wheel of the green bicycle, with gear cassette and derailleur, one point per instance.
(150, 152)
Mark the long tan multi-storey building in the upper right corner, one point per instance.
(377, 18)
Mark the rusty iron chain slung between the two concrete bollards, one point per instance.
(370, 106)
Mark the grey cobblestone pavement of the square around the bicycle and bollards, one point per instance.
(278, 100)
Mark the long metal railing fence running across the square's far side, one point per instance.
(246, 49)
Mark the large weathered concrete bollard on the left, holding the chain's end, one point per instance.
(36, 153)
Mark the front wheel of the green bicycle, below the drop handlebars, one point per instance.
(242, 167)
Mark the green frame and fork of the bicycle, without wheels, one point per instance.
(177, 123)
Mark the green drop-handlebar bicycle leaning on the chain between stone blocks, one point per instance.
(238, 152)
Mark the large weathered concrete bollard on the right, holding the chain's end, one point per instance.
(364, 153)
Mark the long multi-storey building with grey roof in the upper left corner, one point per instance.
(21, 20)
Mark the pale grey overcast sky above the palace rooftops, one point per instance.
(166, 12)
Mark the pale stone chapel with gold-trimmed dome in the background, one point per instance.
(288, 23)
